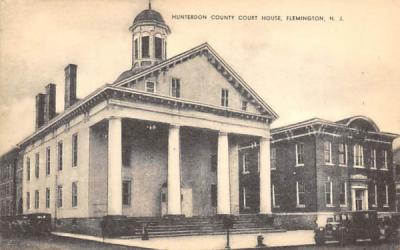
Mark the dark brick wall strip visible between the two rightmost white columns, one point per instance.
(249, 181)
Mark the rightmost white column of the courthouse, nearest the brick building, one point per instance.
(265, 176)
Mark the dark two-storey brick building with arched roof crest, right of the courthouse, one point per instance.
(319, 167)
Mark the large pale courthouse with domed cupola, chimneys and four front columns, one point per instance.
(163, 139)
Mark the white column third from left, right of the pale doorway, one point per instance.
(223, 190)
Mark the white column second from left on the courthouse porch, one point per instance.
(174, 172)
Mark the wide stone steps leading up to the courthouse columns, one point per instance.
(181, 226)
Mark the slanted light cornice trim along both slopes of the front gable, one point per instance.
(214, 53)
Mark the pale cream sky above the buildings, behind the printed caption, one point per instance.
(302, 69)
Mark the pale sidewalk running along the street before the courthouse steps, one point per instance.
(205, 242)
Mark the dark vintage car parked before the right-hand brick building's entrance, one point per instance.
(347, 227)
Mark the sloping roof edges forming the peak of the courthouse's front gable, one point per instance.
(232, 77)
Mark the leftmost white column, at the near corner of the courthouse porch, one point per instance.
(114, 166)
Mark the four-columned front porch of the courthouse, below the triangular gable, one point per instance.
(182, 159)
